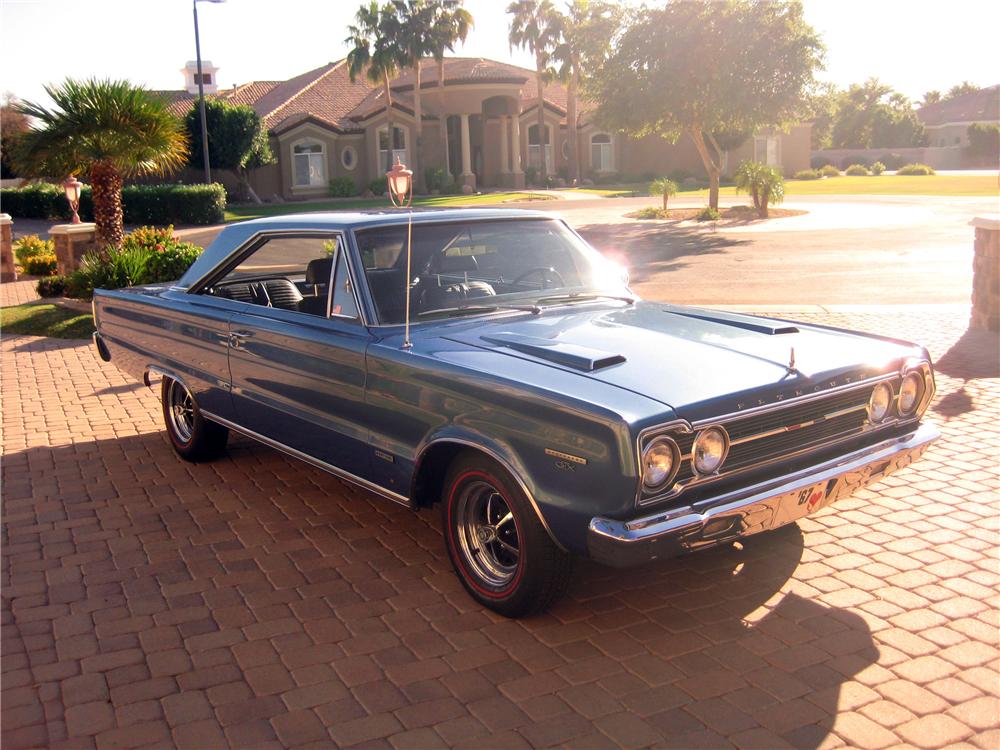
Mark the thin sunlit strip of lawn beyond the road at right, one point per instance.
(945, 185)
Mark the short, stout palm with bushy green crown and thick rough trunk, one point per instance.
(108, 131)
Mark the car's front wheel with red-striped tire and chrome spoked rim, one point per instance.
(498, 547)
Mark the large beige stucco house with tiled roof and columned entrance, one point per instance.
(481, 125)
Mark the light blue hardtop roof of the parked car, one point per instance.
(234, 235)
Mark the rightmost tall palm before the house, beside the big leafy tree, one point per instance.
(587, 29)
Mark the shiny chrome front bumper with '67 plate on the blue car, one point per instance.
(751, 510)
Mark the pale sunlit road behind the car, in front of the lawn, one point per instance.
(846, 250)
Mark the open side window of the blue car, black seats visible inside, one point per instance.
(288, 272)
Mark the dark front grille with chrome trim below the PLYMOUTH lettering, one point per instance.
(757, 439)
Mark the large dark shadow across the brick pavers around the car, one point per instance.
(270, 584)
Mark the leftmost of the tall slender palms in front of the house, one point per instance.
(377, 53)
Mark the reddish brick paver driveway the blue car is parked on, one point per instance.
(255, 601)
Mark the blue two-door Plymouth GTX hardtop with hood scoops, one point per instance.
(529, 393)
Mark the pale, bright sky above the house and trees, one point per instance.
(913, 45)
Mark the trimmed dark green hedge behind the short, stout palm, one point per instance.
(141, 204)
